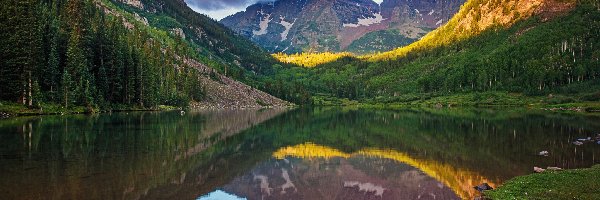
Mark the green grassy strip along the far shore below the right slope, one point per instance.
(554, 103)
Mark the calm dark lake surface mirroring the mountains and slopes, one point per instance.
(317, 153)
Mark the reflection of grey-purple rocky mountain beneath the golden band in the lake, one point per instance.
(359, 176)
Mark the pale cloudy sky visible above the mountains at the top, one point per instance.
(219, 9)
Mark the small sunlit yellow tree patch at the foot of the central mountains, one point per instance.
(310, 59)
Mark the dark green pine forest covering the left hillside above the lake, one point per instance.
(70, 52)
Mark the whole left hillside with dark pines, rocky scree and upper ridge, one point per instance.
(95, 55)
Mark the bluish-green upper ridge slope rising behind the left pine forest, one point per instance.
(217, 46)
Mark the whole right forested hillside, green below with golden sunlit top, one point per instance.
(554, 50)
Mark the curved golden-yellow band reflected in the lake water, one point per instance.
(461, 181)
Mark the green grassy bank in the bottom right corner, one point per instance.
(567, 184)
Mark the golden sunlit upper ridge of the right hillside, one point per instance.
(477, 16)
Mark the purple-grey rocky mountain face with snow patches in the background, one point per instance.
(358, 26)
